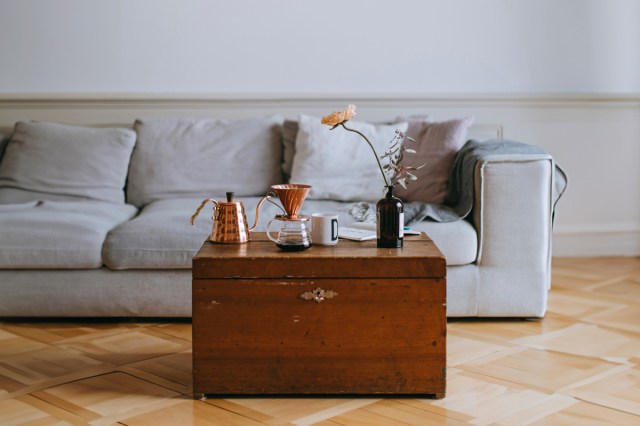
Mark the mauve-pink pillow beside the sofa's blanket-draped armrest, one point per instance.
(437, 144)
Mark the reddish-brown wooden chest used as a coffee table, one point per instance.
(344, 319)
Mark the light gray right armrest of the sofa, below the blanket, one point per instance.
(512, 214)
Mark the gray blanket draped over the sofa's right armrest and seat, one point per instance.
(459, 201)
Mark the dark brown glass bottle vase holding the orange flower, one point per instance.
(390, 220)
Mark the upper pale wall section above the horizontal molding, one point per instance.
(292, 46)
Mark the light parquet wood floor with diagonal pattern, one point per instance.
(579, 365)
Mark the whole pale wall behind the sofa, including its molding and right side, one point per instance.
(564, 74)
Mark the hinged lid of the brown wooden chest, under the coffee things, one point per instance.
(260, 258)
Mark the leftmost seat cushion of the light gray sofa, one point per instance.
(57, 234)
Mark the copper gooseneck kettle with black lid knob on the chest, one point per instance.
(229, 220)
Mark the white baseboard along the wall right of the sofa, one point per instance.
(601, 244)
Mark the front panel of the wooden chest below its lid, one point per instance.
(374, 336)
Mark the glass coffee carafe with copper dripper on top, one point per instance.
(294, 232)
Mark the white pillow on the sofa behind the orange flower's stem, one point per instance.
(339, 165)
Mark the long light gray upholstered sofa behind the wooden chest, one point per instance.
(94, 222)
